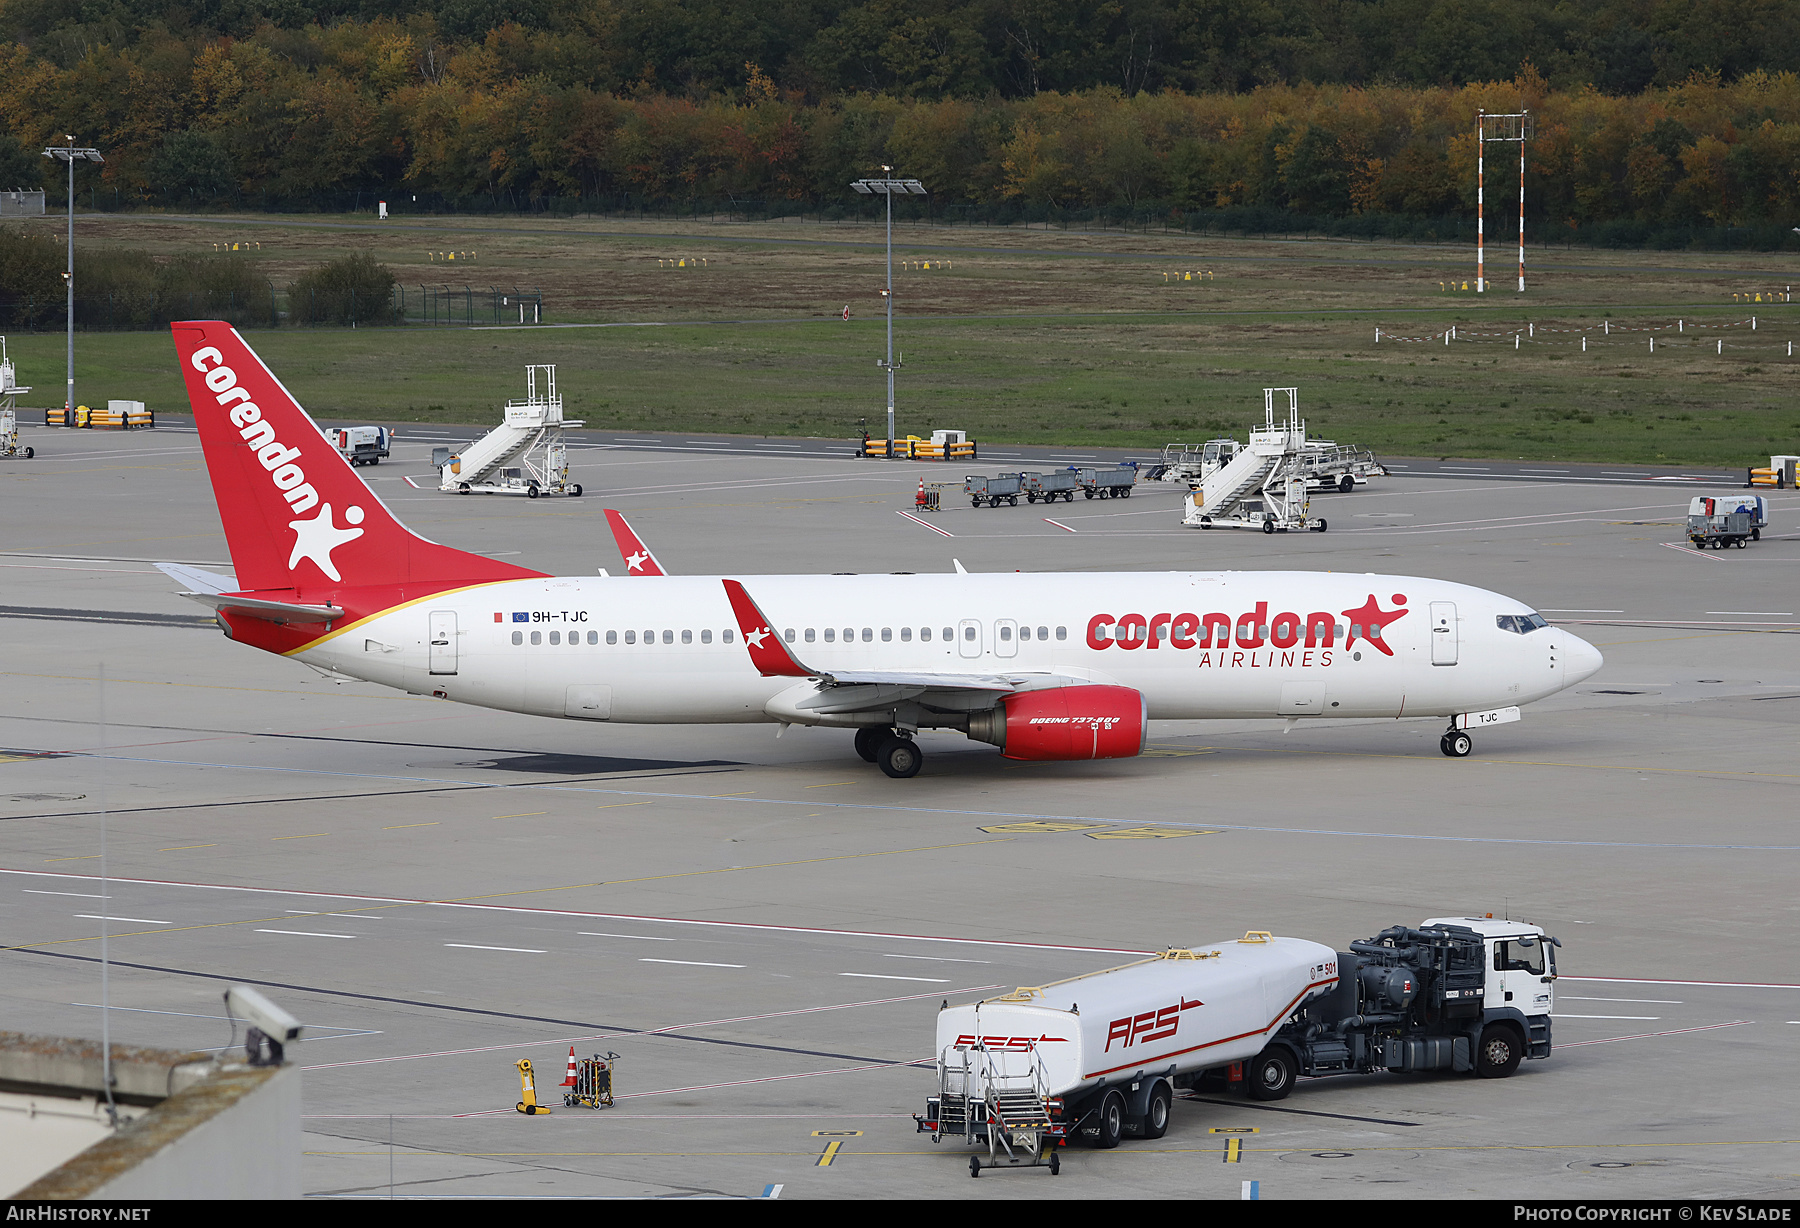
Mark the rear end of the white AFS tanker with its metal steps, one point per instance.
(998, 1099)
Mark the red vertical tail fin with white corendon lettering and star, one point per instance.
(296, 514)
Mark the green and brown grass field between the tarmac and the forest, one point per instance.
(1027, 336)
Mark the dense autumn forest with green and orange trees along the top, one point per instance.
(1651, 120)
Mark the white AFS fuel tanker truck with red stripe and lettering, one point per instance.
(1099, 1058)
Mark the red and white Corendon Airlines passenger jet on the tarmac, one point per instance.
(1045, 667)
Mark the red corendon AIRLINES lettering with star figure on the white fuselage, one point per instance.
(1302, 640)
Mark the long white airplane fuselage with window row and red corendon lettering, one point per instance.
(669, 651)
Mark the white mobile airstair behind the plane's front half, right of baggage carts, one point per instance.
(1264, 485)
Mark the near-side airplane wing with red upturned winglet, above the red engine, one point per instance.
(856, 691)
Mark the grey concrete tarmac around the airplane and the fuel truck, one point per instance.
(764, 928)
